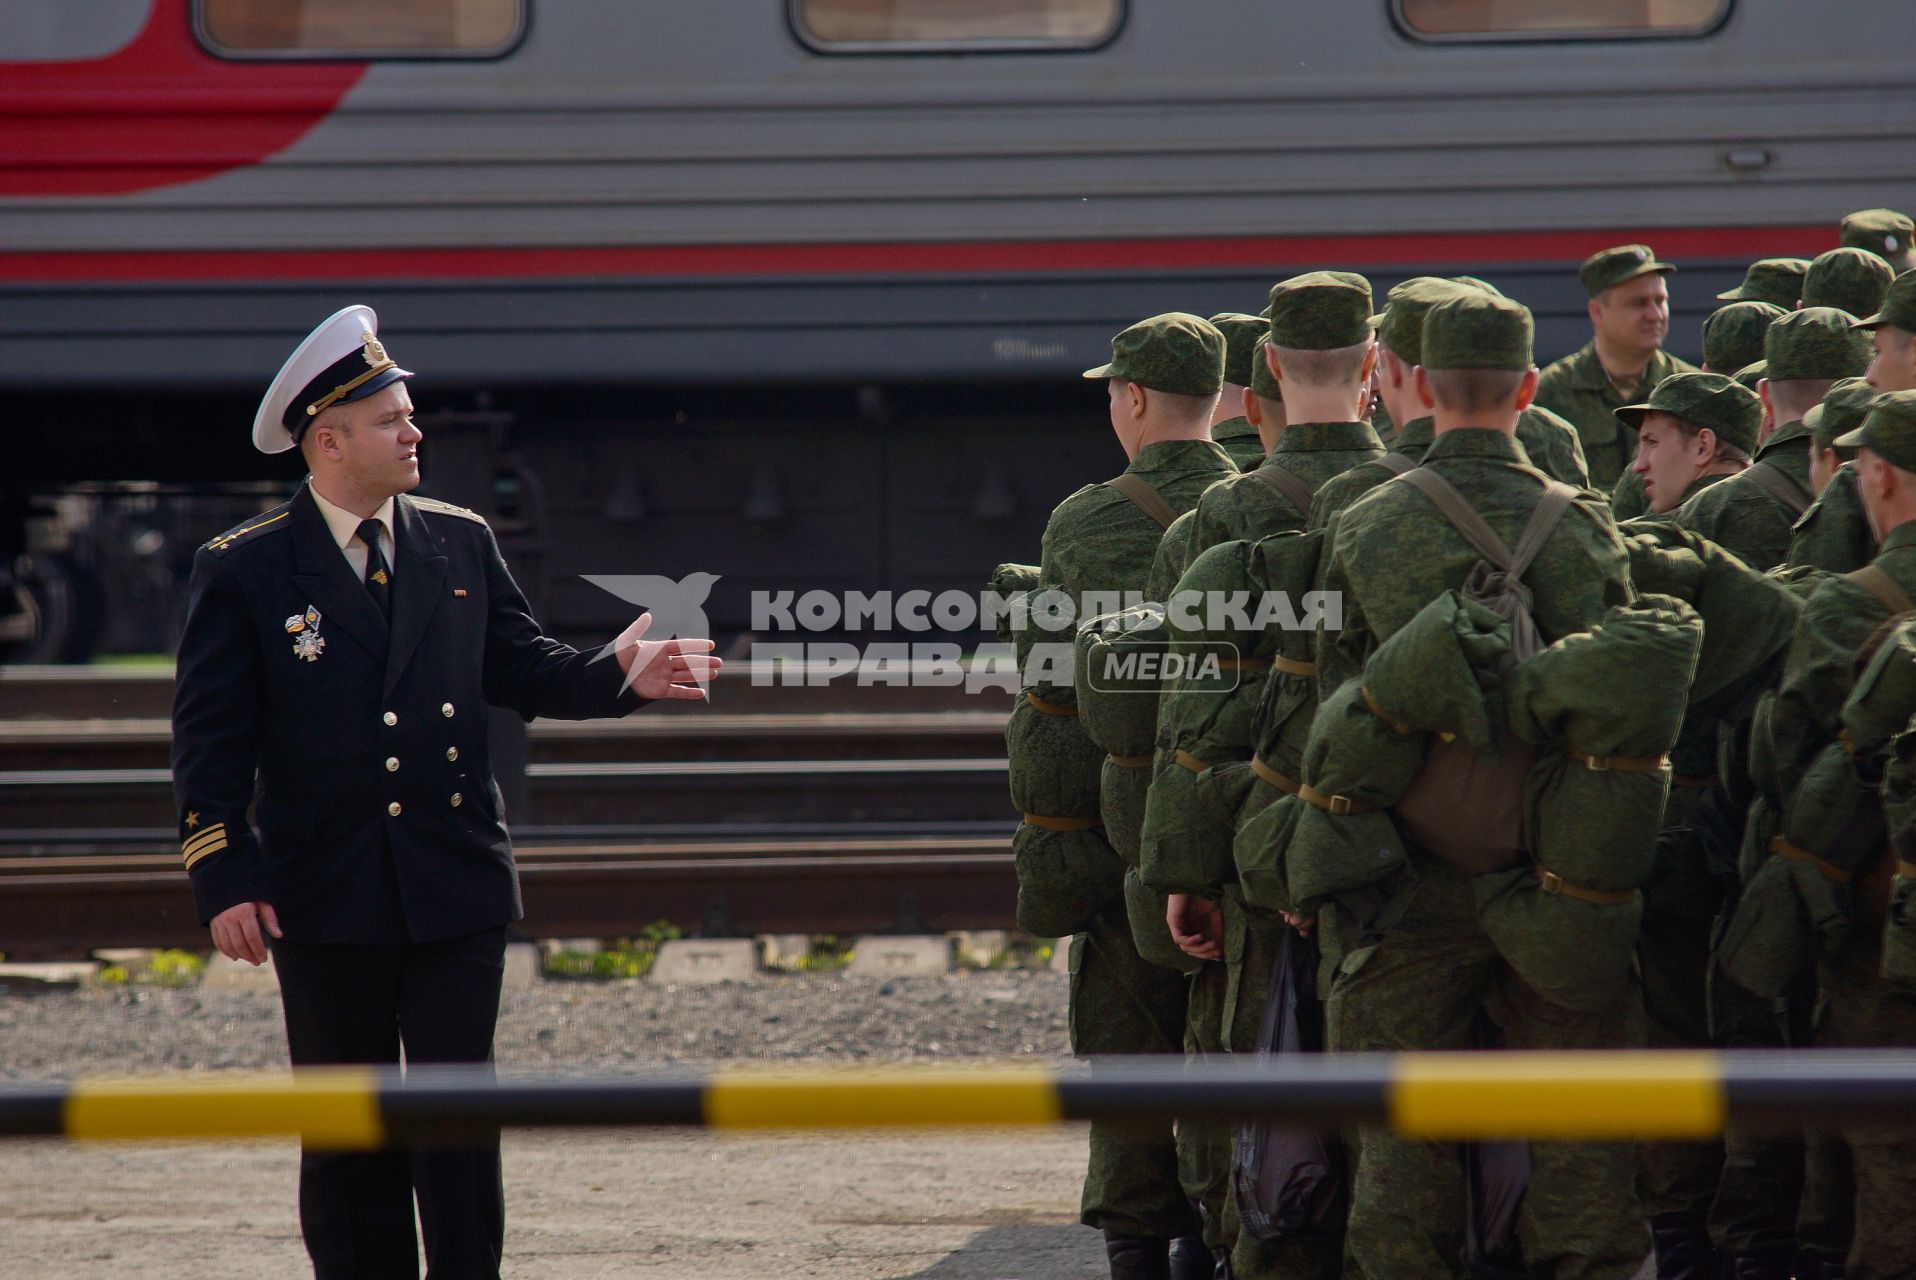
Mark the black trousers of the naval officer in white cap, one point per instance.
(359, 1005)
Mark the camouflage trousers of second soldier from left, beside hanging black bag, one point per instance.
(1227, 1009)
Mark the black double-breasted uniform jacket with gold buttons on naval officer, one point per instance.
(378, 817)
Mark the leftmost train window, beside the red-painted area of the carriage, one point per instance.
(361, 28)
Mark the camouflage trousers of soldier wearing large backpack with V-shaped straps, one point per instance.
(1421, 990)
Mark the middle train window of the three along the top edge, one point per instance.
(955, 26)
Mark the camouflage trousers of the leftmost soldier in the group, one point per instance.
(1126, 1005)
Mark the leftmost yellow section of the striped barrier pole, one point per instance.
(332, 1109)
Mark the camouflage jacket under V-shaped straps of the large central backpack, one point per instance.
(1394, 553)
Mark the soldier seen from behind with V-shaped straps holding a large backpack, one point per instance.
(1425, 982)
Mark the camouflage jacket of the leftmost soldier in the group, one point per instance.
(1099, 541)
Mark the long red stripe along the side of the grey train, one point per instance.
(965, 258)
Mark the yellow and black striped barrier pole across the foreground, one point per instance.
(1442, 1097)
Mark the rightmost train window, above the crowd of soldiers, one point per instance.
(1557, 20)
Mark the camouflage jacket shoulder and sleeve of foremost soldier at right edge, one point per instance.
(1817, 675)
